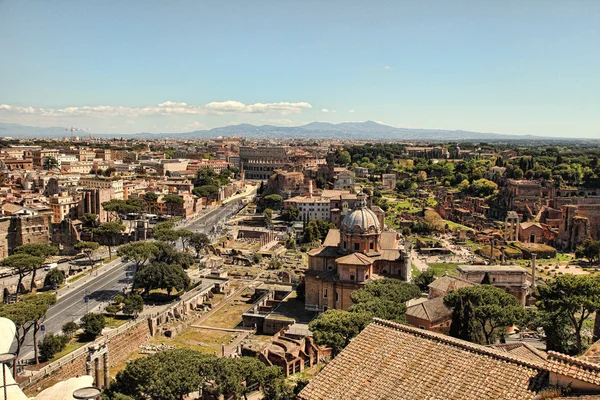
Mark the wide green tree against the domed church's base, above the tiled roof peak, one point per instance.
(384, 298)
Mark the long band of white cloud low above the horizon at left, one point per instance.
(165, 108)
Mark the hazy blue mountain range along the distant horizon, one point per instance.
(368, 130)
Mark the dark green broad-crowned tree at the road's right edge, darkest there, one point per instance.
(159, 275)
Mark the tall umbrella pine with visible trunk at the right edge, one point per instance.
(575, 296)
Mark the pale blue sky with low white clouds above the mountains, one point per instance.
(129, 66)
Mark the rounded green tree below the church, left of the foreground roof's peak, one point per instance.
(335, 328)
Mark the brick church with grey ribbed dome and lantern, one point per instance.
(350, 257)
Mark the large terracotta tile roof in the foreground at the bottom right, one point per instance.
(392, 361)
